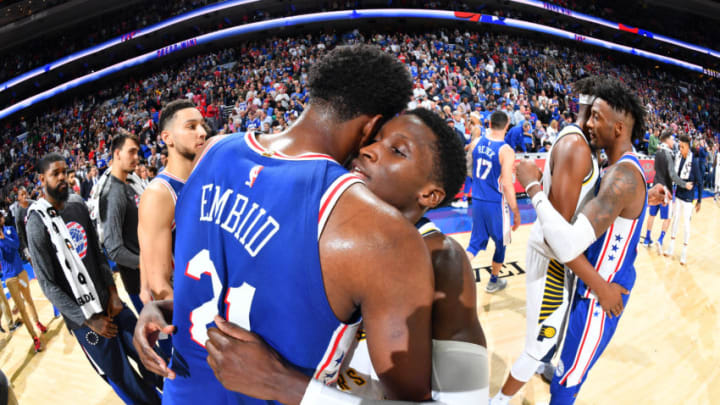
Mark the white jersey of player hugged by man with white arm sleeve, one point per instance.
(587, 192)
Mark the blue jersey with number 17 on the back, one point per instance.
(487, 170)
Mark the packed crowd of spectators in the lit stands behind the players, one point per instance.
(260, 86)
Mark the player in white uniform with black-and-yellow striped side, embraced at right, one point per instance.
(569, 178)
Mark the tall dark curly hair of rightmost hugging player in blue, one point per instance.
(622, 99)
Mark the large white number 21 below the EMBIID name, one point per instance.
(237, 299)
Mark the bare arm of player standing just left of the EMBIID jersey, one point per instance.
(155, 216)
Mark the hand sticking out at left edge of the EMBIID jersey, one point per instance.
(153, 319)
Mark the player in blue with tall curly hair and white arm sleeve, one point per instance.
(608, 231)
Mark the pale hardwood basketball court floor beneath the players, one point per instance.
(665, 350)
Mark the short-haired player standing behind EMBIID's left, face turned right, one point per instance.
(181, 128)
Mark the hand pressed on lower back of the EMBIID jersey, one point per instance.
(243, 362)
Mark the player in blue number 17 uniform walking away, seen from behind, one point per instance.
(493, 191)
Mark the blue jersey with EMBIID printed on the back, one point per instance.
(248, 222)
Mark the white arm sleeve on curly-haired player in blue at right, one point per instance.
(567, 241)
